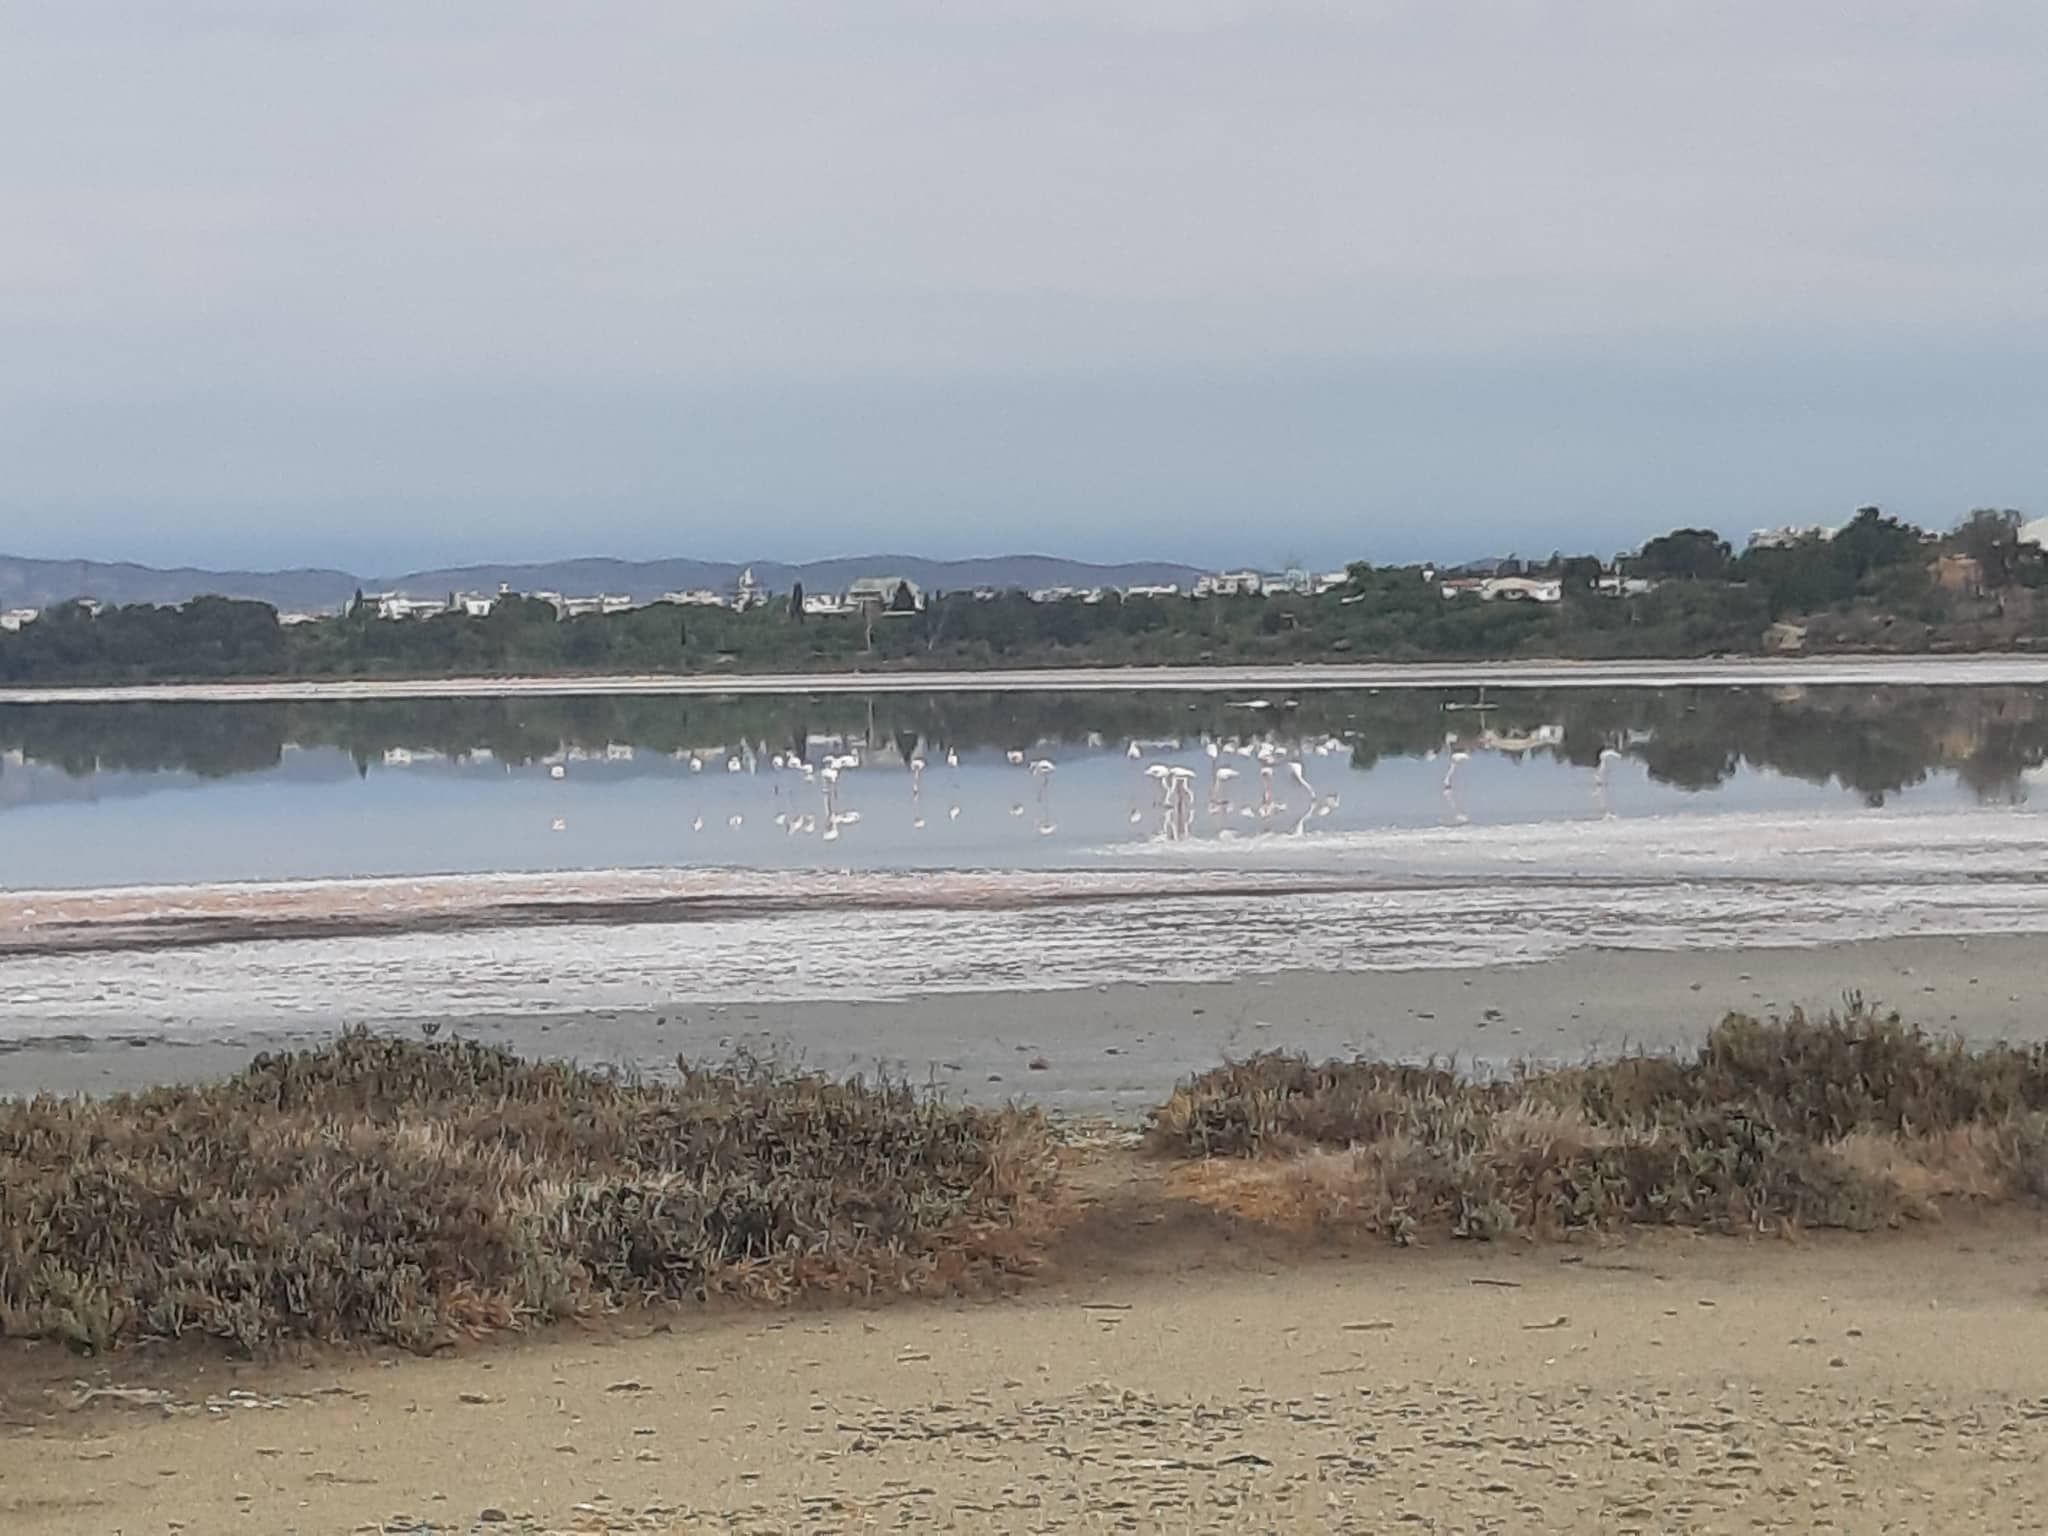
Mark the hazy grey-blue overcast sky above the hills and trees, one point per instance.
(388, 286)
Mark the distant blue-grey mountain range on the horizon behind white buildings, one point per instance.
(42, 583)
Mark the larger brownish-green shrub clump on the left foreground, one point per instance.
(409, 1193)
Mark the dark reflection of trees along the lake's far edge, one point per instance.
(1873, 742)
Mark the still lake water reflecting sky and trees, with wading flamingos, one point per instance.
(976, 779)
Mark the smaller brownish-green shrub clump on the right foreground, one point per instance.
(1850, 1121)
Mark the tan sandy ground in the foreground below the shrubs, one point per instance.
(1191, 1381)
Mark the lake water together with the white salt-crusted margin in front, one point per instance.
(204, 867)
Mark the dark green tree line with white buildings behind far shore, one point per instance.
(1877, 583)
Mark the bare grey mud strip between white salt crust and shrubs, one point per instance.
(1115, 1052)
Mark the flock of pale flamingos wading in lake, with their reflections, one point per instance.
(1172, 787)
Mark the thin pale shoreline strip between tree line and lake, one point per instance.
(1721, 673)
